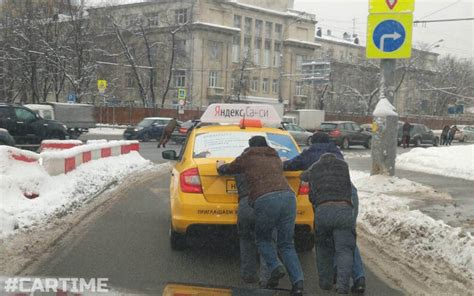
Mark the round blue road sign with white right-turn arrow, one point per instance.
(389, 35)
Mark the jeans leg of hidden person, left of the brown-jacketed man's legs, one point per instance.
(248, 247)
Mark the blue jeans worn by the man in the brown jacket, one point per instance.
(277, 211)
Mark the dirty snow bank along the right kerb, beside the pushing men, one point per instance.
(384, 213)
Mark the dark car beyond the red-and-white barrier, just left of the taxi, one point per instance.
(149, 128)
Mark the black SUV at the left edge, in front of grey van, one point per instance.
(27, 127)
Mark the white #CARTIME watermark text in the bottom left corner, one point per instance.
(48, 285)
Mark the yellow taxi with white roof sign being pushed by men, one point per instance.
(200, 198)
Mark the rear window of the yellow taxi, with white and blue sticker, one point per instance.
(232, 144)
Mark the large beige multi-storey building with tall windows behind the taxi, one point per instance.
(225, 51)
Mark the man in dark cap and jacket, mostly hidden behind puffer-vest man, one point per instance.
(321, 145)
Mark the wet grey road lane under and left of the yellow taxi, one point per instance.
(129, 245)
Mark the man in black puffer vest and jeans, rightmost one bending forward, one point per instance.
(330, 191)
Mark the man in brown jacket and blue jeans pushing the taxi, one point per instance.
(275, 209)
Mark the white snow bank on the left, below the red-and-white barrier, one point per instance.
(58, 195)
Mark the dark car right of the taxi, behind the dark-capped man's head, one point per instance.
(346, 133)
